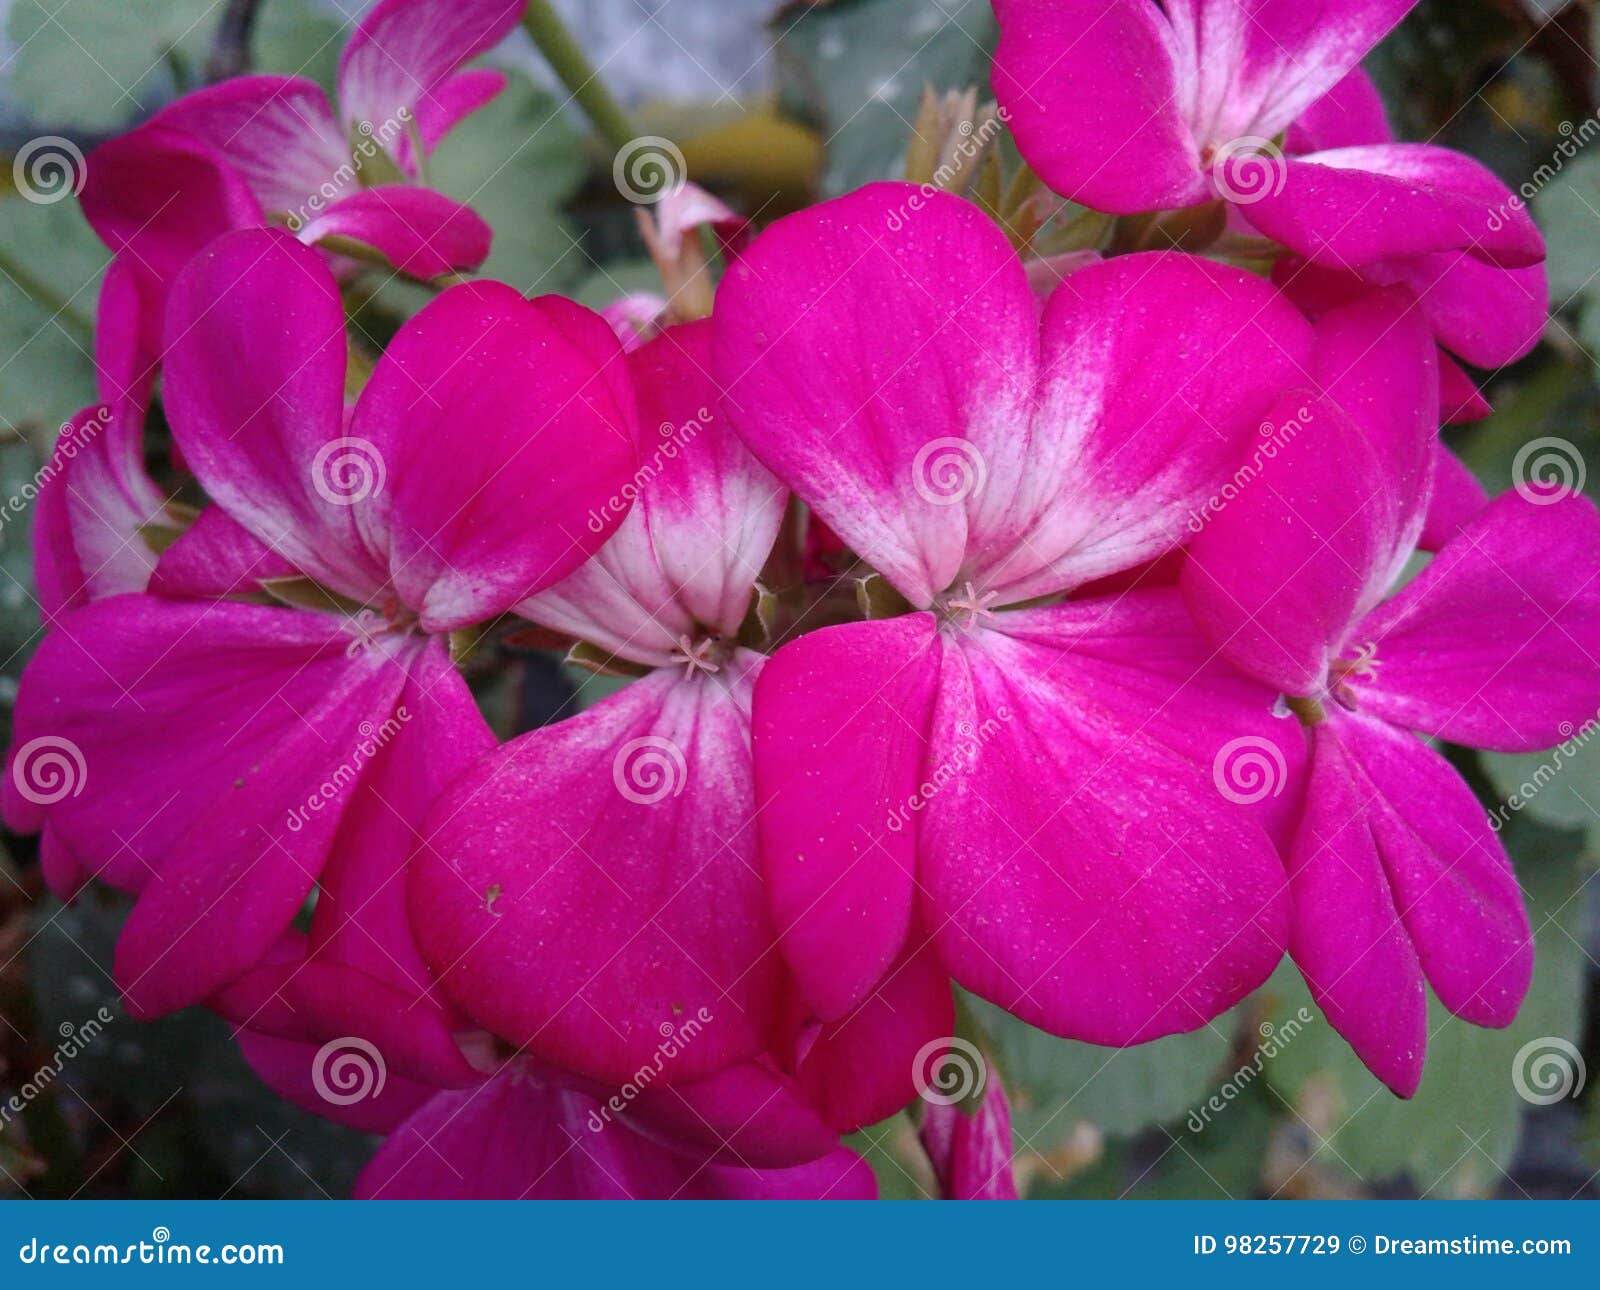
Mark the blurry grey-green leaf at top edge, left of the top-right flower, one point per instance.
(857, 70)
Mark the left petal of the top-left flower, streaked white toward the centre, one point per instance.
(276, 132)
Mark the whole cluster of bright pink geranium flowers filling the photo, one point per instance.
(1031, 622)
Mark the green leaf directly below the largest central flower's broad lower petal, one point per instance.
(1055, 1084)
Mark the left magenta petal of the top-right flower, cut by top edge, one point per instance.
(1094, 100)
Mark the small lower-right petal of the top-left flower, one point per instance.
(418, 231)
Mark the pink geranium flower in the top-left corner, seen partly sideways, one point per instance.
(271, 150)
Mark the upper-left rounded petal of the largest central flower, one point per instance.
(921, 314)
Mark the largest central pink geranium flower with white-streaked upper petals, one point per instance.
(1030, 783)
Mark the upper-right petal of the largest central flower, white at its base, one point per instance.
(1114, 467)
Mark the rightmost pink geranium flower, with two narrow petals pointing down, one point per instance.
(1398, 881)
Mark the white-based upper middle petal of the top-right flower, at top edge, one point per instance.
(1249, 68)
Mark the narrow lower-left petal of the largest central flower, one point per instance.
(841, 719)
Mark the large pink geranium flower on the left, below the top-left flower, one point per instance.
(225, 743)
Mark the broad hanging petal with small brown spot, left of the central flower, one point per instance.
(591, 891)
